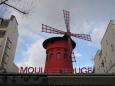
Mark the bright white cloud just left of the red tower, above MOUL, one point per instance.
(35, 55)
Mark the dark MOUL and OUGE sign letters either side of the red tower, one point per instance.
(39, 70)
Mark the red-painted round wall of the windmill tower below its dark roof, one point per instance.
(55, 65)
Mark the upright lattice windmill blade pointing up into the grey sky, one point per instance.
(67, 20)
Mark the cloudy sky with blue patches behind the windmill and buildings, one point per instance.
(86, 17)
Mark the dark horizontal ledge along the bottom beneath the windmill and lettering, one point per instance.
(43, 79)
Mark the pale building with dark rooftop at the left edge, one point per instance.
(8, 42)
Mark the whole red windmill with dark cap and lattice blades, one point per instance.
(59, 49)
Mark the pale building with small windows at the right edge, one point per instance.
(105, 58)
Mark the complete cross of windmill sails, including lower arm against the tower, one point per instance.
(49, 29)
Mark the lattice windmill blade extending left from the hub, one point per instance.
(49, 29)
